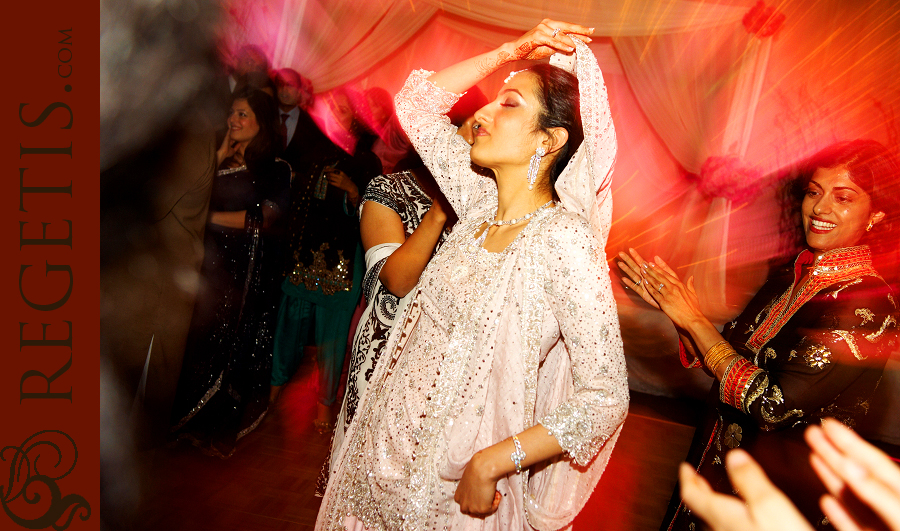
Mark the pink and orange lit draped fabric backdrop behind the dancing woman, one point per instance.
(711, 99)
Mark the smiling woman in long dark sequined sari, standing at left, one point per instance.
(223, 388)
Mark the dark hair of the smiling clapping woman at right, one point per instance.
(871, 166)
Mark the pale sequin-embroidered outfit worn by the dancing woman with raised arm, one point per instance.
(491, 344)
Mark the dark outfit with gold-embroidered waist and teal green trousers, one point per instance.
(323, 275)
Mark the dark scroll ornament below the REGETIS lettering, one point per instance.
(29, 485)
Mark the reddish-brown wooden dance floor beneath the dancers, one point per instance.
(267, 485)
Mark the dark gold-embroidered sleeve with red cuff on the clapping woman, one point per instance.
(826, 366)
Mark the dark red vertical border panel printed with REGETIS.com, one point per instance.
(49, 270)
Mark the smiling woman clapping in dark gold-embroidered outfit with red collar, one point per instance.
(811, 344)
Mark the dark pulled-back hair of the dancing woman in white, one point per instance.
(557, 92)
